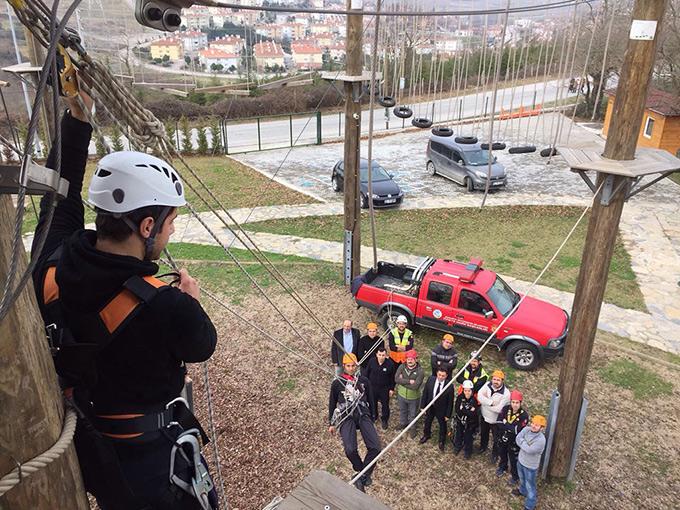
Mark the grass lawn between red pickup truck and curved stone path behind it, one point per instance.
(516, 241)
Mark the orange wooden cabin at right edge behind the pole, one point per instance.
(660, 128)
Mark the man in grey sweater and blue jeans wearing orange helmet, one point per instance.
(531, 442)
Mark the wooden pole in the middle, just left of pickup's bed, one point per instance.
(354, 67)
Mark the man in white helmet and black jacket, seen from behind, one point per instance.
(129, 364)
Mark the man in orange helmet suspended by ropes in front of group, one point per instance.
(349, 409)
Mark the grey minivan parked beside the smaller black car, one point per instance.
(464, 163)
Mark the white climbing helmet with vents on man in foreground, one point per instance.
(127, 180)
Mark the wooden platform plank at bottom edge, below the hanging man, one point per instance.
(321, 490)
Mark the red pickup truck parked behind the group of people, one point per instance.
(468, 301)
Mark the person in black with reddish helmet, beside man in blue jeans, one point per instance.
(511, 420)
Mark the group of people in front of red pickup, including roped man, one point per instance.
(369, 375)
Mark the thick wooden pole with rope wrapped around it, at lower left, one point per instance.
(30, 400)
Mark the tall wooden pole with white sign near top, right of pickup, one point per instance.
(603, 225)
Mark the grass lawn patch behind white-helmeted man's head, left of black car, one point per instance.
(234, 184)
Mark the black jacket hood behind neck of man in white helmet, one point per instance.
(89, 277)
